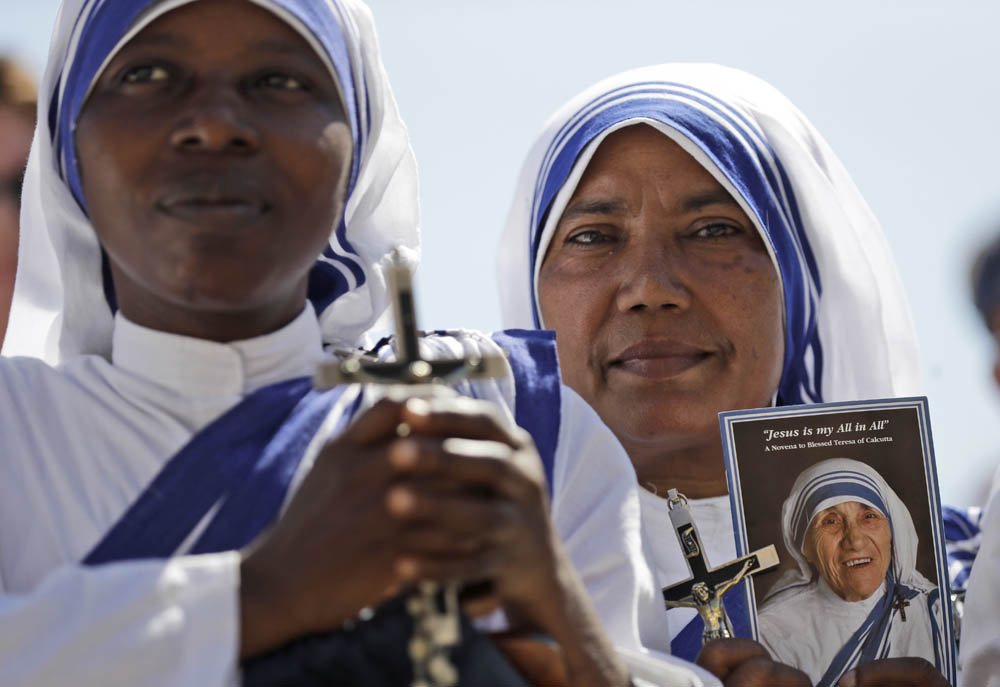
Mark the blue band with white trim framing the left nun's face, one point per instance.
(102, 29)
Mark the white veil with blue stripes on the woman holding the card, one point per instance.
(848, 332)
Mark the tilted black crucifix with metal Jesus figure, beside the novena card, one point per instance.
(704, 590)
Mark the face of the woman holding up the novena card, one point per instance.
(664, 299)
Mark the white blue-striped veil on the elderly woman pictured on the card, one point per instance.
(839, 480)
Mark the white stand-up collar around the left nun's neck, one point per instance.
(203, 369)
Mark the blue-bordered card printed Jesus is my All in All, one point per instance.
(848, 494)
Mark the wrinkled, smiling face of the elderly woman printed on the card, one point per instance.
(850, 544)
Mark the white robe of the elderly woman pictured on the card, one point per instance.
(807, 627)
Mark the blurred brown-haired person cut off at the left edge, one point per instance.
(17, 123)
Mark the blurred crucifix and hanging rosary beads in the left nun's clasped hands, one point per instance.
(434, 609)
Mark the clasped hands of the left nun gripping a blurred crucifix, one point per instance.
(462, 498)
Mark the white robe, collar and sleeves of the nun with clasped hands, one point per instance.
(79, 444)
